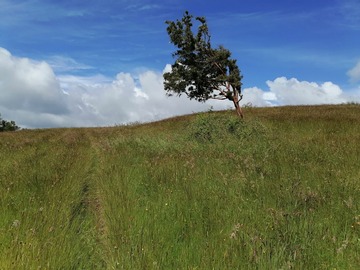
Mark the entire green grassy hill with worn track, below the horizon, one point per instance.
(279, 190)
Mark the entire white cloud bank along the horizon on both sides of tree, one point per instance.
(35, 97)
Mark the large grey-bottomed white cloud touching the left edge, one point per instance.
(29, 85)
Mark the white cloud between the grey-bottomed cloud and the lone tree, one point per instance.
(125, 100)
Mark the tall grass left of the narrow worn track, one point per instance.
(45, 218)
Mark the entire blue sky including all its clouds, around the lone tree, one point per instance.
(289, 51)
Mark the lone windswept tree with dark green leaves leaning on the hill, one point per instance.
(200, 71)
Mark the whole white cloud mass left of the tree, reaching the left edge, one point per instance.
(33, 96)
